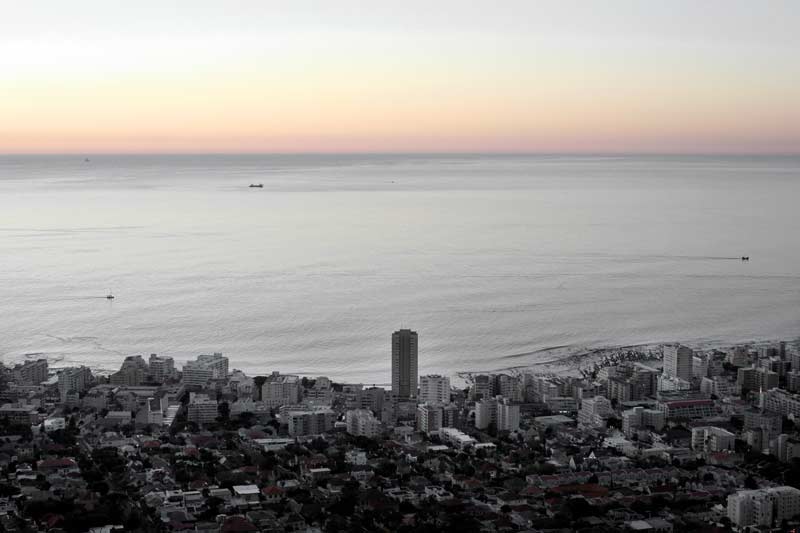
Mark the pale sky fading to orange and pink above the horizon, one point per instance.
(639, 76)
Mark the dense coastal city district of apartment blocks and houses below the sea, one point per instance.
(683, 440)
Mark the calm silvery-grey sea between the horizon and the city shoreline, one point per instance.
(489, 258)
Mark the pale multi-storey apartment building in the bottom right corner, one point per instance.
(763, 507)
